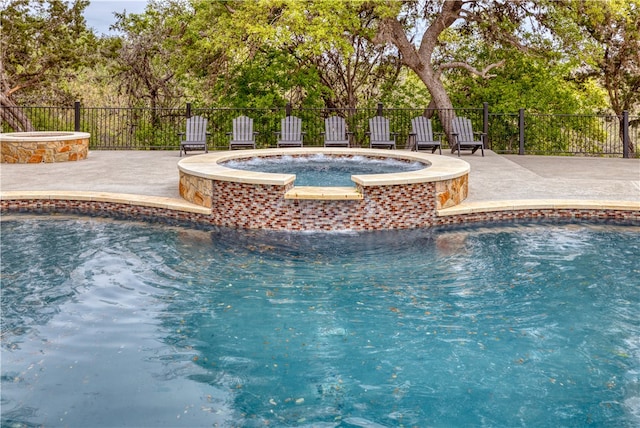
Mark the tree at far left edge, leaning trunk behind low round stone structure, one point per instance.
(42, 44)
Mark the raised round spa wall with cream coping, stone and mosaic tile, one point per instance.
(252, 200)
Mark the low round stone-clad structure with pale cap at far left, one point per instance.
(44, 146)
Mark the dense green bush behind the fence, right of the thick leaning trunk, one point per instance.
(541, 83)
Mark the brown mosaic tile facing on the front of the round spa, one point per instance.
(255, 206)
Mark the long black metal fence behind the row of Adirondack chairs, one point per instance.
(115, 128)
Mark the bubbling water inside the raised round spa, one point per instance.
(324, 170)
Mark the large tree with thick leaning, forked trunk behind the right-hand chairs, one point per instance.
(499, 23)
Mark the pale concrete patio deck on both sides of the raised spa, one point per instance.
(495, 181)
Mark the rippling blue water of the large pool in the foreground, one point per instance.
(108, 323)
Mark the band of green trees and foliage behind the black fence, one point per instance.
(330, 54)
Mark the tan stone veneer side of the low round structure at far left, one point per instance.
(44, 151)
